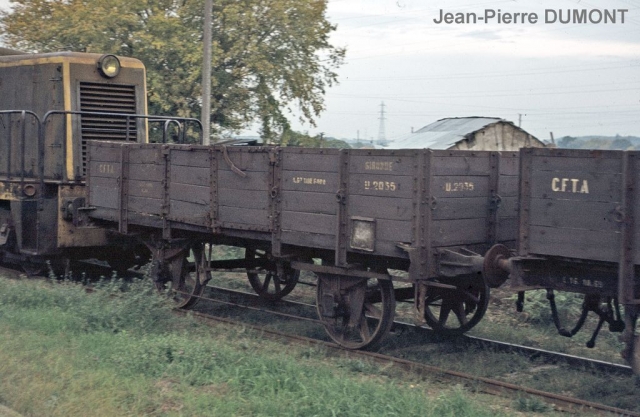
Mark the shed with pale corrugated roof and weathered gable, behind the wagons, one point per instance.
(469, 133)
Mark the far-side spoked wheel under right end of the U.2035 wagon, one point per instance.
(468, 303)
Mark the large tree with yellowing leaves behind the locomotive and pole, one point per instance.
(271, 58)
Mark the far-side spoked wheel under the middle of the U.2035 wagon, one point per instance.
(270, 284)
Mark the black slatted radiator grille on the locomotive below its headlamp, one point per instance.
(107, 98)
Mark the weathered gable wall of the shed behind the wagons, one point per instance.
(498, 137)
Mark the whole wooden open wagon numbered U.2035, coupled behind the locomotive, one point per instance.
(415, 220)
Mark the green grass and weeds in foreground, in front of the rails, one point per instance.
(64, 352)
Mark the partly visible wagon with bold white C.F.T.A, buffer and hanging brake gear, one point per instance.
(578, 233)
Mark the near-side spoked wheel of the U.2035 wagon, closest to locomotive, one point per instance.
(177, 278)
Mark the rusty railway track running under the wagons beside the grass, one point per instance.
(248, 301)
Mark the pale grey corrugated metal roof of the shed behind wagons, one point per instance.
(442, 134)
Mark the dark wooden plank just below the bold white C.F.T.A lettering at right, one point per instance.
(570, 214)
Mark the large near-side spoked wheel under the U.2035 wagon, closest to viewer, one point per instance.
(355, 312)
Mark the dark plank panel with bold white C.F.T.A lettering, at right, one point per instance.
(571, 204)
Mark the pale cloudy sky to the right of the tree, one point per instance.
(548, 77)
